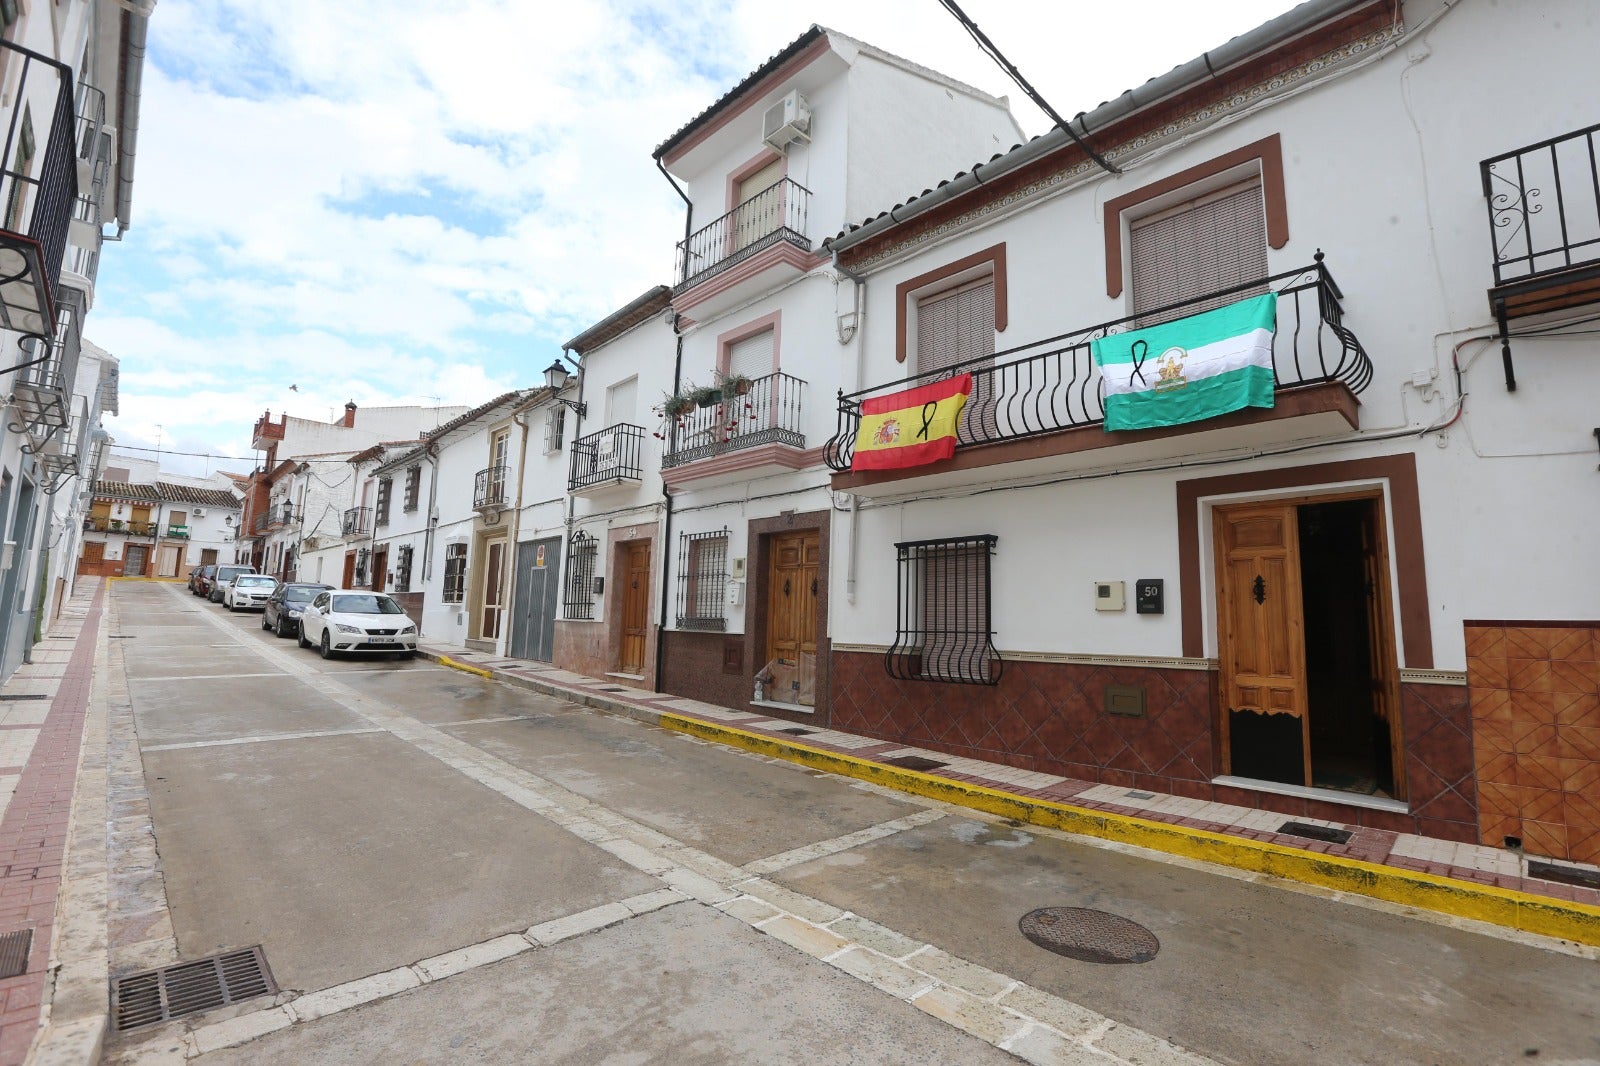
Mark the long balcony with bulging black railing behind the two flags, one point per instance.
(1039, 403)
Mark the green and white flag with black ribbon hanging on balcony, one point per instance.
(1198, 367)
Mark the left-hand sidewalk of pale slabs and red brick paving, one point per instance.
(42, 715)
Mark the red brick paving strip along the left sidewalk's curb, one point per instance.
(36, 827)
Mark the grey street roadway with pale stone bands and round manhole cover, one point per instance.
(356, 817)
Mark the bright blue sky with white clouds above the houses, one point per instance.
(417, 202)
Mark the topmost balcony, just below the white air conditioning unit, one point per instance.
(766, 231)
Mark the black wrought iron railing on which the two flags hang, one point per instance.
(1054, 385)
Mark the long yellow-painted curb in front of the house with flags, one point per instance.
(1428, 892)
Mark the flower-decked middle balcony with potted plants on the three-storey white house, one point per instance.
(740, 436)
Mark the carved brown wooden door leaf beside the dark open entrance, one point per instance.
(1262, 643)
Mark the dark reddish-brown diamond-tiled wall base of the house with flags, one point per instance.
(1050, 718)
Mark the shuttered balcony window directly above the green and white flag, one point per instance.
(1196, 249)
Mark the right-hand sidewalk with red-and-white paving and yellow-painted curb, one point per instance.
(1460, 880)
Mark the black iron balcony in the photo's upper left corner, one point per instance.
(39, 183)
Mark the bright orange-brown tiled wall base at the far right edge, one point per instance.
(1537, 735)
